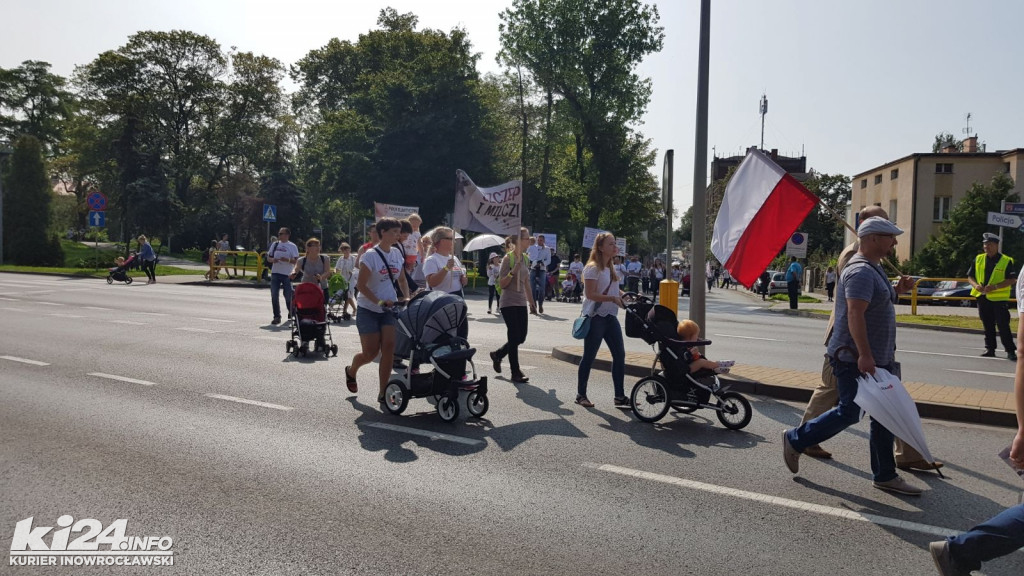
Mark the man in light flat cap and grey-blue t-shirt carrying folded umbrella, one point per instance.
(865, 338)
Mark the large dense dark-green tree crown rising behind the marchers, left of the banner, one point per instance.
(393, 116)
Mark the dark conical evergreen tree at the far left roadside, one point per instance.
(28, 239)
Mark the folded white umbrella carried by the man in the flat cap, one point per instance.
(882, 395)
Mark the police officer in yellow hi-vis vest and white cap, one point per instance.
(992, 276)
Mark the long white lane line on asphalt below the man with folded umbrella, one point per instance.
(777, 502)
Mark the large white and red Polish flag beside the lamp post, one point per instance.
(762, 208)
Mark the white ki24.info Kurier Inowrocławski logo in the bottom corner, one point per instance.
(94, 545)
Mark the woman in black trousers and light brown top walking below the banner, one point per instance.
(514, 277)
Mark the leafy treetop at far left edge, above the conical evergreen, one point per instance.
(34, 102)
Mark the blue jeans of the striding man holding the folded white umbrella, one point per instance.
(845, 416)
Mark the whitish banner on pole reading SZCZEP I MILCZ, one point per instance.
(495, 211)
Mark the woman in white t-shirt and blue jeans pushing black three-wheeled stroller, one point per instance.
(602, 302)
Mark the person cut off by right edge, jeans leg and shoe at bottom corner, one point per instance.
(958, 556)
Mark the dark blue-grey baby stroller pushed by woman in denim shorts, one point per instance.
(428, 334)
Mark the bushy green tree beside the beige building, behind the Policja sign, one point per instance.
(954, 251)
